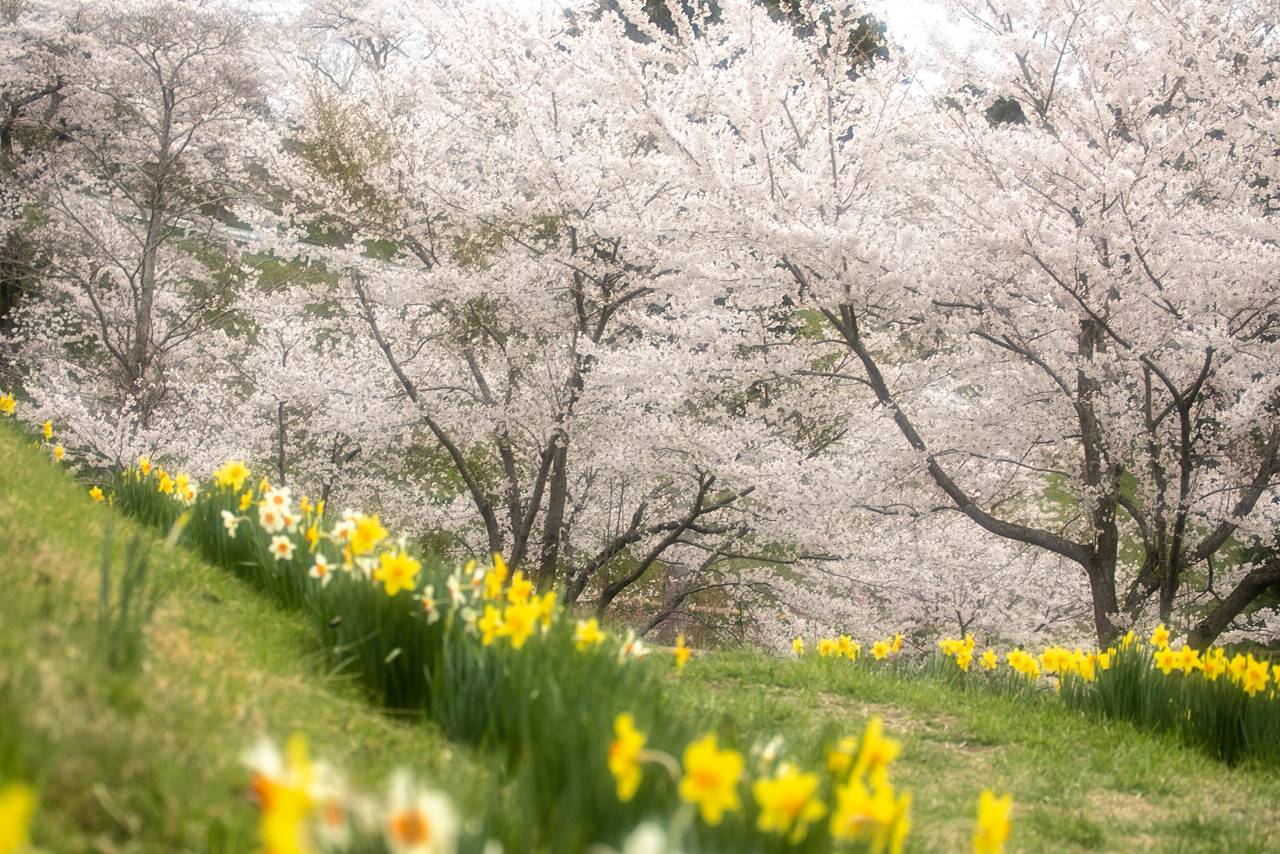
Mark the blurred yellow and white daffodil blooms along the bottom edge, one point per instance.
(308, 807)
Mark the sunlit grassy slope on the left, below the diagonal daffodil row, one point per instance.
(153, 764)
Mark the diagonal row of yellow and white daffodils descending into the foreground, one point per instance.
(362, 581)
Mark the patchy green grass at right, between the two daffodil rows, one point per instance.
(1078, 784)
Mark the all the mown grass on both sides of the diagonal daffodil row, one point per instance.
(157, 761)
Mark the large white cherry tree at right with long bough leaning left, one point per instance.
(1069, 321)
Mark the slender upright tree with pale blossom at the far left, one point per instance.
(161, 129)
